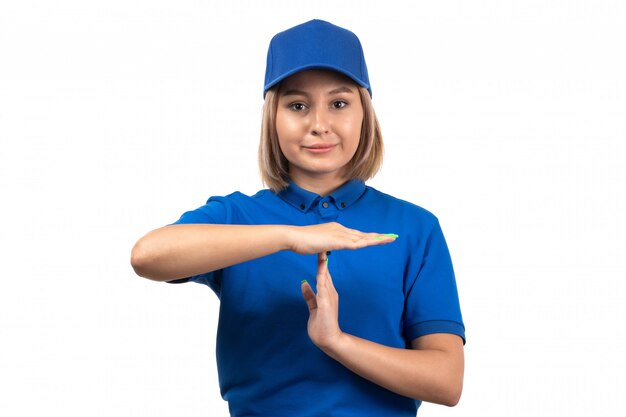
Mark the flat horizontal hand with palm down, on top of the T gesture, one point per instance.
(307, 240)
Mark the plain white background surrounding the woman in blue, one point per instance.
(506, 119)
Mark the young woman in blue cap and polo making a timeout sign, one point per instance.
(382, 331)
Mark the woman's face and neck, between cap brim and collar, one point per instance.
(318, 122)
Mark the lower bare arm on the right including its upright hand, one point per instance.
(431, 371)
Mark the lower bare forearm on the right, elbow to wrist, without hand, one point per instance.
(426, 374)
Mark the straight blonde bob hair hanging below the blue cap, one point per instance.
(274, 167)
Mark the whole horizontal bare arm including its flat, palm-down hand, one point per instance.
(184, 250)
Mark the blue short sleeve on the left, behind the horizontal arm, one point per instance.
(213, 212)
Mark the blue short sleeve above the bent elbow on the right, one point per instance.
(432, 301)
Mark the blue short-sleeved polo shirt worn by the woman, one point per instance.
(389, 294)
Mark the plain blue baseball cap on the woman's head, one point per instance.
(315, 44)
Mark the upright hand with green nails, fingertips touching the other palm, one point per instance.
(323, 325)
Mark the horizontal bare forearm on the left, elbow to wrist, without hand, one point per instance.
(184, 250)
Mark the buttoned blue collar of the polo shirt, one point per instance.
(343, 197)
